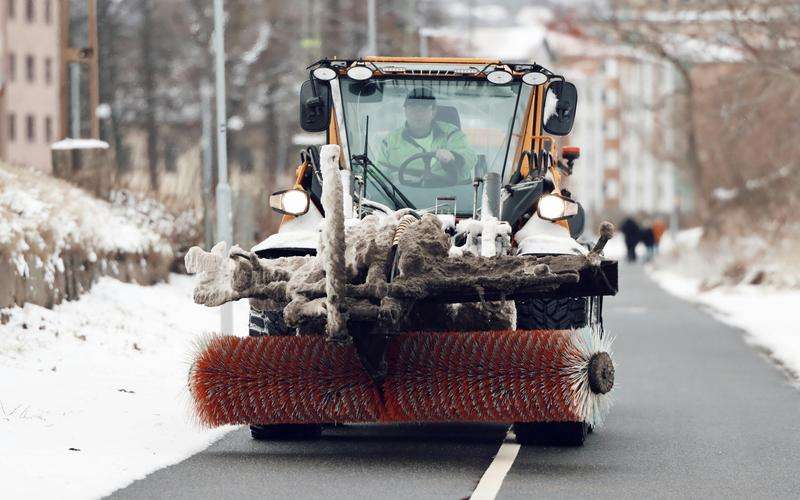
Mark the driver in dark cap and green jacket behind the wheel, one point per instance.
(454, 159)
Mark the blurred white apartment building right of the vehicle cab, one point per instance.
(625, 126)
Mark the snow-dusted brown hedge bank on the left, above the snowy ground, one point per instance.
(56, 239)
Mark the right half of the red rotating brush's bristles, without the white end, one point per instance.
(498, 376)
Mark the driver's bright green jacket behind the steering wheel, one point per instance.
(399, 145)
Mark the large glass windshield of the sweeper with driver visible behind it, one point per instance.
(427, 137)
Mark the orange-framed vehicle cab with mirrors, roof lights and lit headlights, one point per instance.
(429, 134)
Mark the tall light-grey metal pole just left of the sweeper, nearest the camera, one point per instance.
(224, 212)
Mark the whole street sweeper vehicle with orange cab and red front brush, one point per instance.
(427, 267)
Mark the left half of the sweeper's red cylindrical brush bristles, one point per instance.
(251, 380)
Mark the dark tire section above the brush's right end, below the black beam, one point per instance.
(552, 314)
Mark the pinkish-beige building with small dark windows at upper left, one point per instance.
(29, 81)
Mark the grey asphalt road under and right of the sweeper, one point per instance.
(698, 414)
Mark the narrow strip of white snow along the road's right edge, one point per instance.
(767, 315)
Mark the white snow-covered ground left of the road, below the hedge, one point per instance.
(93, 393)
